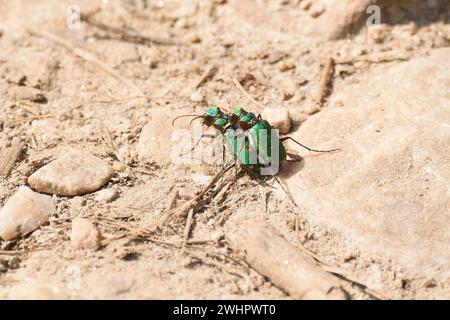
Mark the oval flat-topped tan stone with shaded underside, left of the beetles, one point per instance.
(75, 173)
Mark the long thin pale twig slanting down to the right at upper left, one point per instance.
(87, 56)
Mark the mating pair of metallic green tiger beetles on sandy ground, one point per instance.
(253, 141)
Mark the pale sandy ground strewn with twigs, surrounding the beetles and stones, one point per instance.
(85, 107)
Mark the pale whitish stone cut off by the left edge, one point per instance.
(24, 212)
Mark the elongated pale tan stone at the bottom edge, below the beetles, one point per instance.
(271, 255)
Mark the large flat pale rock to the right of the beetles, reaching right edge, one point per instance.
(388, 189)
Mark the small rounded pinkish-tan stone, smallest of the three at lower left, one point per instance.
(84, 235)
